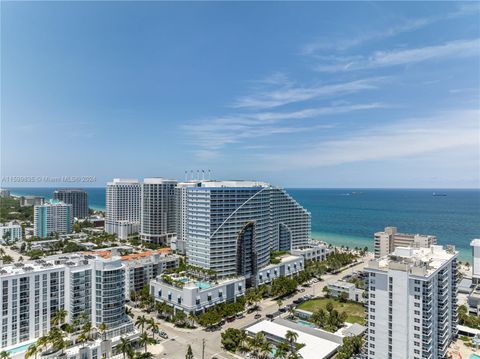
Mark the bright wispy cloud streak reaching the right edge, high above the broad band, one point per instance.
(454, 49)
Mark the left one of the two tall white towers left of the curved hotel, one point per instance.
(122, 207)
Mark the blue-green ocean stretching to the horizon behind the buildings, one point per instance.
(350, 216)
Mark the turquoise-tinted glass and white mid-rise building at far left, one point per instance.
(52, 217)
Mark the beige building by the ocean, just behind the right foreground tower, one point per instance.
(389, 239)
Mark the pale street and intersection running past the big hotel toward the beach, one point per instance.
(176, 346)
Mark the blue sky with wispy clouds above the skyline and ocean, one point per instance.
(299, 94)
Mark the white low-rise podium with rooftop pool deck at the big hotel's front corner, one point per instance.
(196, 295)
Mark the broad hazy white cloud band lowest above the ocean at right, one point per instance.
(405, 139)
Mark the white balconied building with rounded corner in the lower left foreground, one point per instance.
(81, 284)
